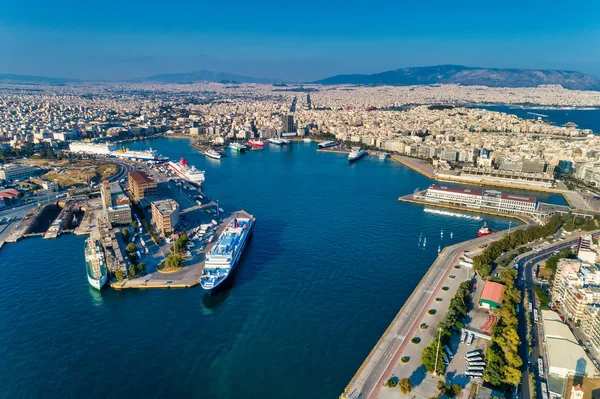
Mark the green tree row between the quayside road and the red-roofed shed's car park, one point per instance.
(459, 307)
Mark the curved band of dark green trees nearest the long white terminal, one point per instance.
(483, 263)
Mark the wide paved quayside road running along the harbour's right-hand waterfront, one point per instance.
(378, 365)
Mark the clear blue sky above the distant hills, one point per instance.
(293, 40)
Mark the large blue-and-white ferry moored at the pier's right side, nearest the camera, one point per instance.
(222, 259)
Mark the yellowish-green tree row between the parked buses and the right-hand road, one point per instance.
(503, 361)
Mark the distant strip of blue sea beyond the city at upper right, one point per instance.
(584, 118)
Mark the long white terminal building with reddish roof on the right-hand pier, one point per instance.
(481, 199)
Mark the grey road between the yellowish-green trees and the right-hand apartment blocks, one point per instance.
(527, 282)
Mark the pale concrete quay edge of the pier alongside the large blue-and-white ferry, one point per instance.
(188, 276)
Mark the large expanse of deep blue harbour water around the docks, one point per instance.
(333, 257)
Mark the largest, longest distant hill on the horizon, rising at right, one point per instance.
(458, 74)
